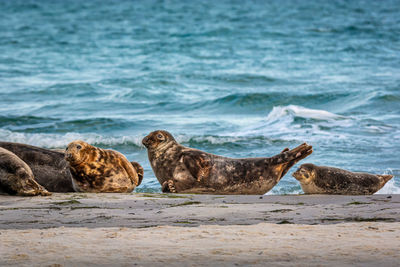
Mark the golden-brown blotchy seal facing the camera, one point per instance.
(100, 170)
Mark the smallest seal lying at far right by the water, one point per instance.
(329, 180)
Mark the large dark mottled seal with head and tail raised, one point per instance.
(181, 169)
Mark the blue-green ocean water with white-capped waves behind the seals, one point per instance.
(234, 78)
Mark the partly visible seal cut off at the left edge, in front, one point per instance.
(16, 177)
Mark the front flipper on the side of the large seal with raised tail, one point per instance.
(198, 164)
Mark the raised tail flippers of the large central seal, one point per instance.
(287, 158)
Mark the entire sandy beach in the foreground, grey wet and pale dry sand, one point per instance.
(190, 230)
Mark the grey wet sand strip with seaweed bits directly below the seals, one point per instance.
(137, 210)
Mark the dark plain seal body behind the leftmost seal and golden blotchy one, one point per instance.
(49, 167)
